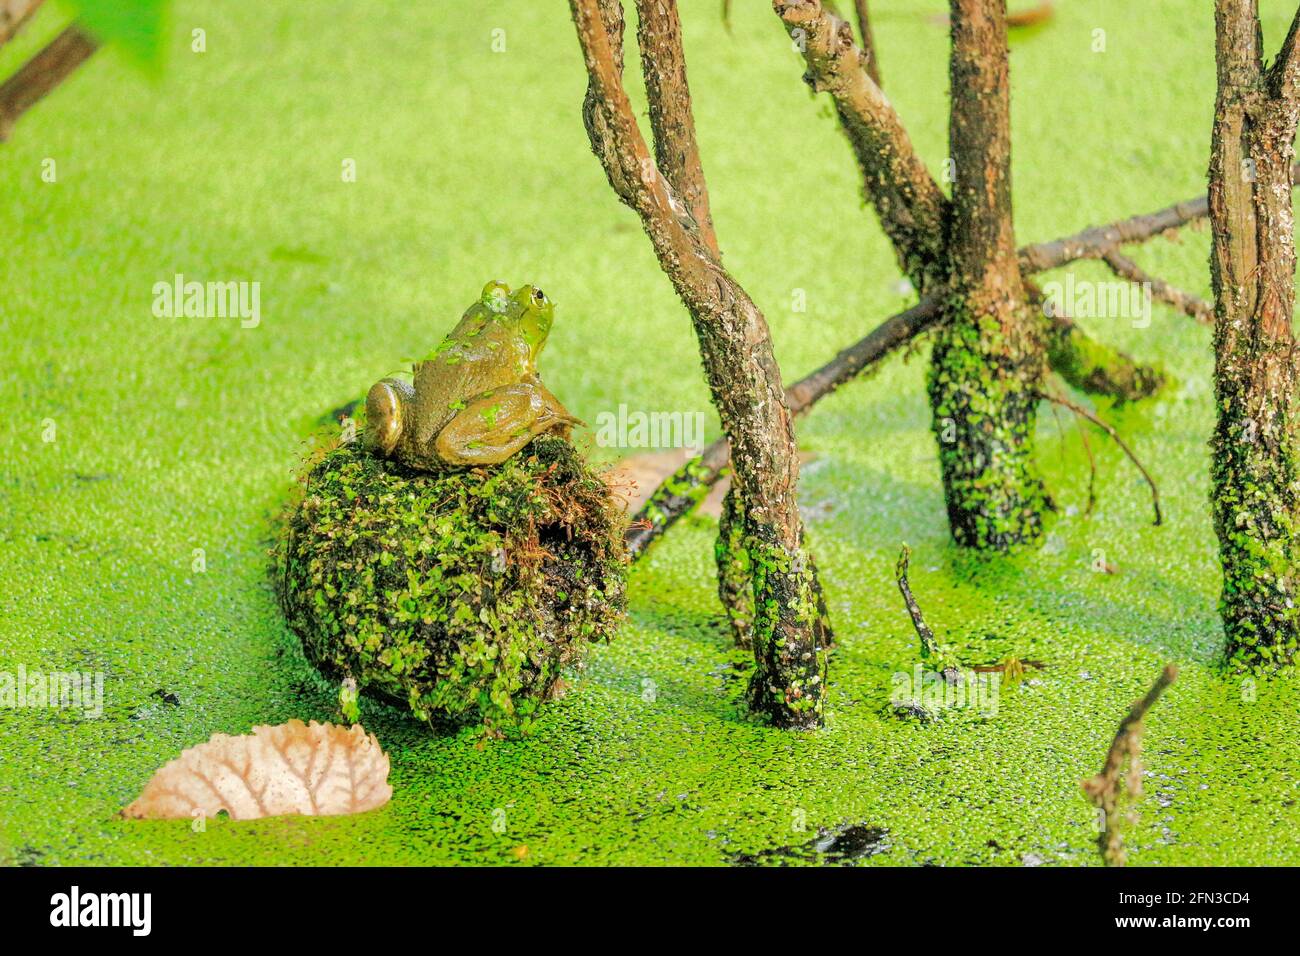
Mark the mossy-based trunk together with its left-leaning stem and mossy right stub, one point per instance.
(994, 343)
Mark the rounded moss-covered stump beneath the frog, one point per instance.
(463, 595)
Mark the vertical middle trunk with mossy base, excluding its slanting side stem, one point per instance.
(989, 361)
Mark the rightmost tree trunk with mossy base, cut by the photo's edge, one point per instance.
(1255, 473)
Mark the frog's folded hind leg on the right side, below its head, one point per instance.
(499, 423)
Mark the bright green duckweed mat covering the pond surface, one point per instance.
(371, 166)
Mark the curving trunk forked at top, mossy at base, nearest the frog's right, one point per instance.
(669, 194)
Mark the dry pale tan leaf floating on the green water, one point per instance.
(315, 769)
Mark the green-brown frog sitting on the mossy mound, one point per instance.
(478, 399)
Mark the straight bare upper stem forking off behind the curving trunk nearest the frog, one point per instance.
(678, 153)
